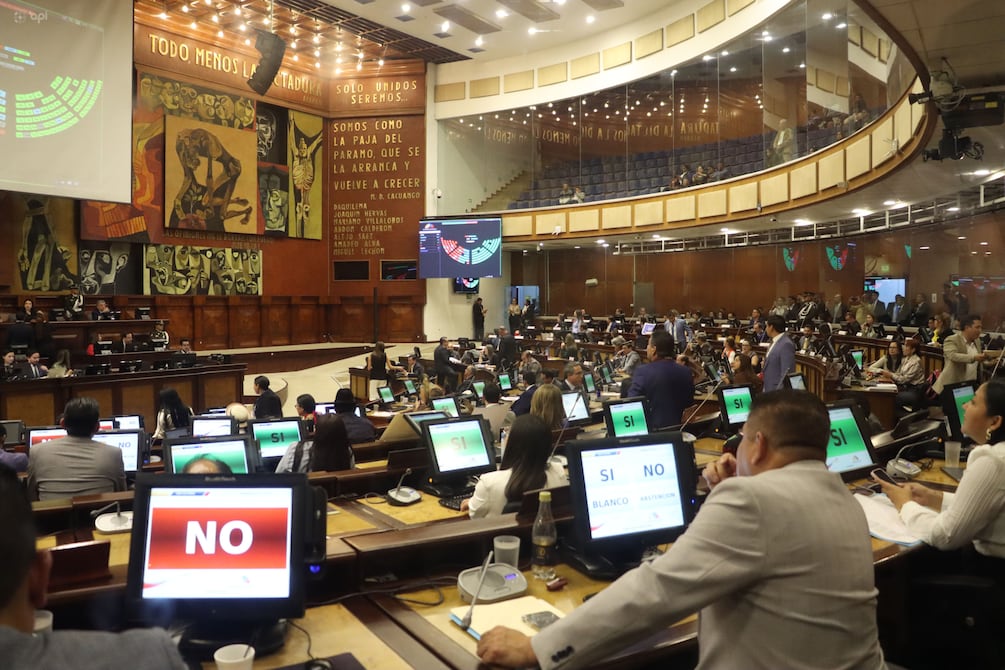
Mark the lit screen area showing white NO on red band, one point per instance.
(219, 543)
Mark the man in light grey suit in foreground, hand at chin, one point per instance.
(779, 584)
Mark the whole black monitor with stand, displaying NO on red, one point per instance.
(227, 554)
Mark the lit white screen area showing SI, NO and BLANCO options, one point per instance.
(632, 490)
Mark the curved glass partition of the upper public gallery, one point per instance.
(810, 77)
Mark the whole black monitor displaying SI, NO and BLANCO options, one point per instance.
(630, 494)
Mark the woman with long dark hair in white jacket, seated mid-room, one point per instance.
(525, 468)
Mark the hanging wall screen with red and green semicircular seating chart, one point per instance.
(461, 248)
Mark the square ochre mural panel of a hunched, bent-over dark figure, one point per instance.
(208, 181)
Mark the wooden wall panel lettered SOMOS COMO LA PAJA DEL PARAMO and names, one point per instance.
(377, 192)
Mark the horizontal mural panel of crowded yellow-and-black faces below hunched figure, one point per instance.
(193, 271)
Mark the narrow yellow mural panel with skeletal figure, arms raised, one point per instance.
(306, 159)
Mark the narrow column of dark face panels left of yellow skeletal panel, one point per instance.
(274, 173)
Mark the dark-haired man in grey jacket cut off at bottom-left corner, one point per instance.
(24, 586)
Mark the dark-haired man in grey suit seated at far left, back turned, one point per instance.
(76, 465)
